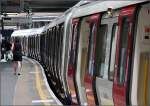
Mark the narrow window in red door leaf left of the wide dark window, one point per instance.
(91, 51)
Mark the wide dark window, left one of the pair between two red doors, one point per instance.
(101, 50)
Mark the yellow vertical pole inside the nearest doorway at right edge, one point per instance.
(145, 81)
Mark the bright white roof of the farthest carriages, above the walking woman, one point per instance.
(28, 32)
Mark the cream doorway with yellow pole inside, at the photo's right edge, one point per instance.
(140, 87)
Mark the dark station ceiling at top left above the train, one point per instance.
(16, 6)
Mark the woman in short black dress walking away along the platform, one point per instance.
(17, 56)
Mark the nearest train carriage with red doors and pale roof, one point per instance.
(103, 54)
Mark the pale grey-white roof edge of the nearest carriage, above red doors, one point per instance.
(101, 6)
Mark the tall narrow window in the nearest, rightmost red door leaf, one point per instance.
(123, 50)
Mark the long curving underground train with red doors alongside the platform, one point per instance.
(97, 53)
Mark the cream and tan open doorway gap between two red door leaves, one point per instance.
(82, 59)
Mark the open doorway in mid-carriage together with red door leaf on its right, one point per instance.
(85, 64)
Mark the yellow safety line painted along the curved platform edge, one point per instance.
(39, 86)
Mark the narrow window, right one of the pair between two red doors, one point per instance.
(113, 51)
